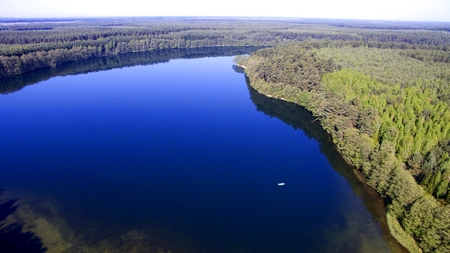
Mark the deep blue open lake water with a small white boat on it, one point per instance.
(179, 154)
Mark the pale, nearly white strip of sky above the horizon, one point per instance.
(407, 10)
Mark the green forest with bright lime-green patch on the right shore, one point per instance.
(388, 113)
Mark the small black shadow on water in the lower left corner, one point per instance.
(12, 237)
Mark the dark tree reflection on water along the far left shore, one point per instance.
(13, 84)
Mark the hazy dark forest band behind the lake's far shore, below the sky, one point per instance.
(25, 47)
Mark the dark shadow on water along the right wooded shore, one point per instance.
(299, 118)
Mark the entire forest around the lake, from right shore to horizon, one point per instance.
(380, 89)
